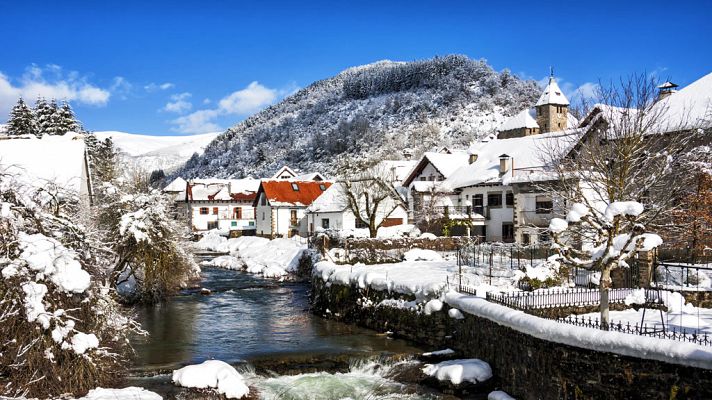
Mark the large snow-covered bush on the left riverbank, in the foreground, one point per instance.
(61, 329)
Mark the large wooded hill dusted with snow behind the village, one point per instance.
(376, 110)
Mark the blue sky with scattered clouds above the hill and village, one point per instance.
(160, 67)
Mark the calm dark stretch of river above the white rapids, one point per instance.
(245, 318)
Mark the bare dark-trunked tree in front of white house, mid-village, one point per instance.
(371, 196)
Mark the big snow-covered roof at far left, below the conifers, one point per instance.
(58, 159)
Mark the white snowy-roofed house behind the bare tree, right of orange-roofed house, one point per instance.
(331, 211)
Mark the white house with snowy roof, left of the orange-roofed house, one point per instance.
(223, 204)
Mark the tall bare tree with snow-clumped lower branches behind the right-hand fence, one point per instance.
(618, 180)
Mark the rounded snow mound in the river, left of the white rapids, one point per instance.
(213, 374)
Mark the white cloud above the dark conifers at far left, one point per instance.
(50, 81)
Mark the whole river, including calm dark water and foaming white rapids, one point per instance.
(265, 329)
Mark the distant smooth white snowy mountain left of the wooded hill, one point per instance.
(158, 152)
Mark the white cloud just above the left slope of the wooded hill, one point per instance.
(239, 103)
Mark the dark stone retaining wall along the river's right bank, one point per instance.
(525, 367)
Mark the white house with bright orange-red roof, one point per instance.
(280, 206)
